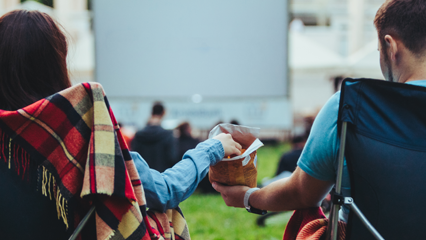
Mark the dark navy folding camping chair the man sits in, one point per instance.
(383, 138)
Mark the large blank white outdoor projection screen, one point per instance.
(178, 48)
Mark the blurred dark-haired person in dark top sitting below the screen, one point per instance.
(156, 145)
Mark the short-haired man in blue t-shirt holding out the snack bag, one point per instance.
(400, 26)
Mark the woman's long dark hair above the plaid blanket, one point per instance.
(33, 52)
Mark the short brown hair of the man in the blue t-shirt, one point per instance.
(404, 20)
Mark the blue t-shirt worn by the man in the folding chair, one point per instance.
(319, 157)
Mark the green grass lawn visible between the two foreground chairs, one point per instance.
(210, 219)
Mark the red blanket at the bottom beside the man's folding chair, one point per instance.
(310, 224)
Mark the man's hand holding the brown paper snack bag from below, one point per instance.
(232, 195)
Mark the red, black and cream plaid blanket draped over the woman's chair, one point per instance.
(74, 141)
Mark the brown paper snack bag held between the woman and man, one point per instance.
(239, 170)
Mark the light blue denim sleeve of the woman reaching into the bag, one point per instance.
(166, 190)
